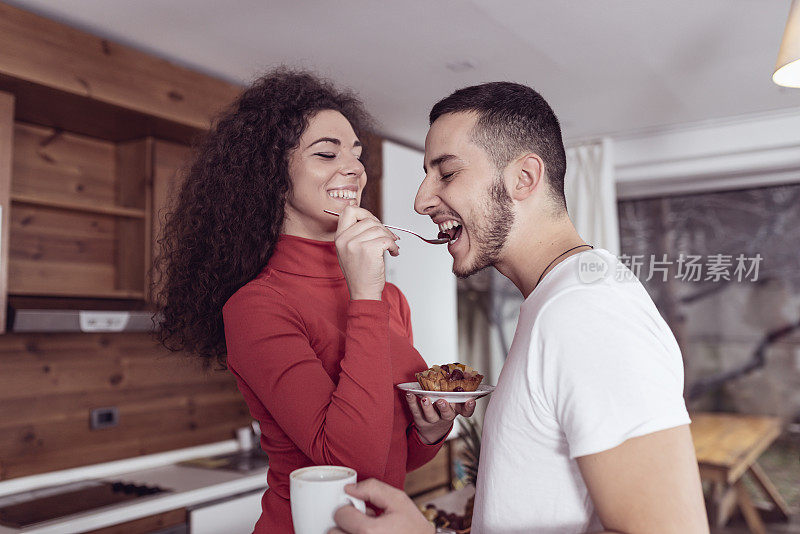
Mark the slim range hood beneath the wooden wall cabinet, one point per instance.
(39, 315)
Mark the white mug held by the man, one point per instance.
(316, 493)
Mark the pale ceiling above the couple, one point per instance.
(607, 67)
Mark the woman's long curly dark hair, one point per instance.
(222, 227)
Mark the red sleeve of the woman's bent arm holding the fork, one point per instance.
(348, 423)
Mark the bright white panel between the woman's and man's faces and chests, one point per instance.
(423, 272)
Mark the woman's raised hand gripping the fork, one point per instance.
(361, 240)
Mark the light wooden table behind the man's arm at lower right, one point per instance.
(727, 447)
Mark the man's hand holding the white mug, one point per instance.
(400, 515)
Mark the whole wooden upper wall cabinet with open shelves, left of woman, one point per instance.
(92, 134)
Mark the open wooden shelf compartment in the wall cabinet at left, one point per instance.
(80, 217)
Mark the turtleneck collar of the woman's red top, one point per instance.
(306, 257)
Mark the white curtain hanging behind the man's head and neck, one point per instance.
(591, 193)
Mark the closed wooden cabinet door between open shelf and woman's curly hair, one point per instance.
(169, 163)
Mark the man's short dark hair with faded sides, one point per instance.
(512, 119)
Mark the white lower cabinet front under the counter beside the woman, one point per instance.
(237, 515)
